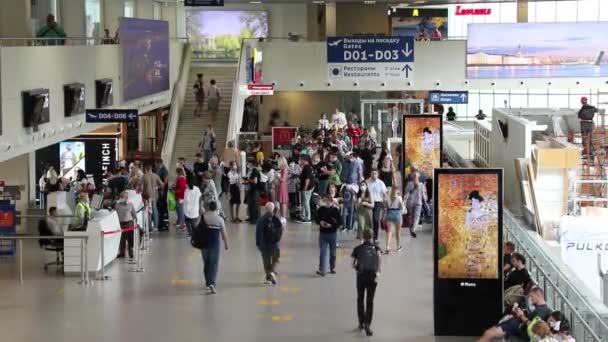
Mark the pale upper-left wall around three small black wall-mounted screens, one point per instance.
(21, 69)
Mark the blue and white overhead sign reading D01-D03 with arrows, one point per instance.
(370, 57)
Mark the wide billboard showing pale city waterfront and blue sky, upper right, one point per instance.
(541, 50)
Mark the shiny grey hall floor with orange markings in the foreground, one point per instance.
(167, 302)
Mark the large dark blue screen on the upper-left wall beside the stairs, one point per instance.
(145, 57)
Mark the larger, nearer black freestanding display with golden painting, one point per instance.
(467, 250)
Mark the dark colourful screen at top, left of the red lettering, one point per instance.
(423, 24)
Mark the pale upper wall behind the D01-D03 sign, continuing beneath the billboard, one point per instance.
(288, 63)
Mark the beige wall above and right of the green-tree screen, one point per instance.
(282, 17)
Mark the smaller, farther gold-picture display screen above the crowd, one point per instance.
(422, 144)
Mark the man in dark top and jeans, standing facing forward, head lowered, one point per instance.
(329, 222)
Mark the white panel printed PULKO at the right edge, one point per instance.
(583, 239)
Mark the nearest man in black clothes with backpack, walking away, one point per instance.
(366, 260)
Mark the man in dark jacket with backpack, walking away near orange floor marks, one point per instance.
(268, 233)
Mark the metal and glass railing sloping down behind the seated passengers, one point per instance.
(550, 286)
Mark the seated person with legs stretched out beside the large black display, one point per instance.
(516, 323)
